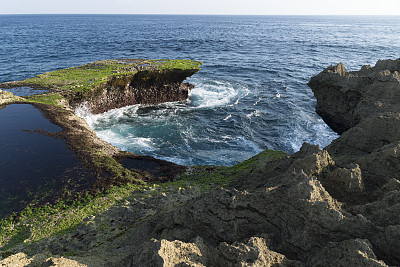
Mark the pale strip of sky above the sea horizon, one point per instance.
(234, 7)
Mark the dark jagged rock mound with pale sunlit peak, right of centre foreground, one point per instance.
(292, 211)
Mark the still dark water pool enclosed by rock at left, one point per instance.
(33, 164)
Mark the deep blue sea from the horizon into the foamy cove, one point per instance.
(250, 95)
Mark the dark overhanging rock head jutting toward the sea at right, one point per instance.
(345, 98)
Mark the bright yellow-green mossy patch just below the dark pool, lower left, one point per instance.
(35, 223)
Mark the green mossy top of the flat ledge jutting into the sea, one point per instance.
(77, 83)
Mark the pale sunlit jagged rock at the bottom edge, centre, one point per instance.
(197, 253)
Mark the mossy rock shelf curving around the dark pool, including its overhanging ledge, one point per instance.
(101, 85)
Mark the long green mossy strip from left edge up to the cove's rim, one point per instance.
(36, 223)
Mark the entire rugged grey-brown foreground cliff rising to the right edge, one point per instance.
(339, 206)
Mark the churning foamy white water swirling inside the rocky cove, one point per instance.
(182, 132)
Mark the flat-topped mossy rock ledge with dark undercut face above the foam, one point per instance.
(109, 84)
